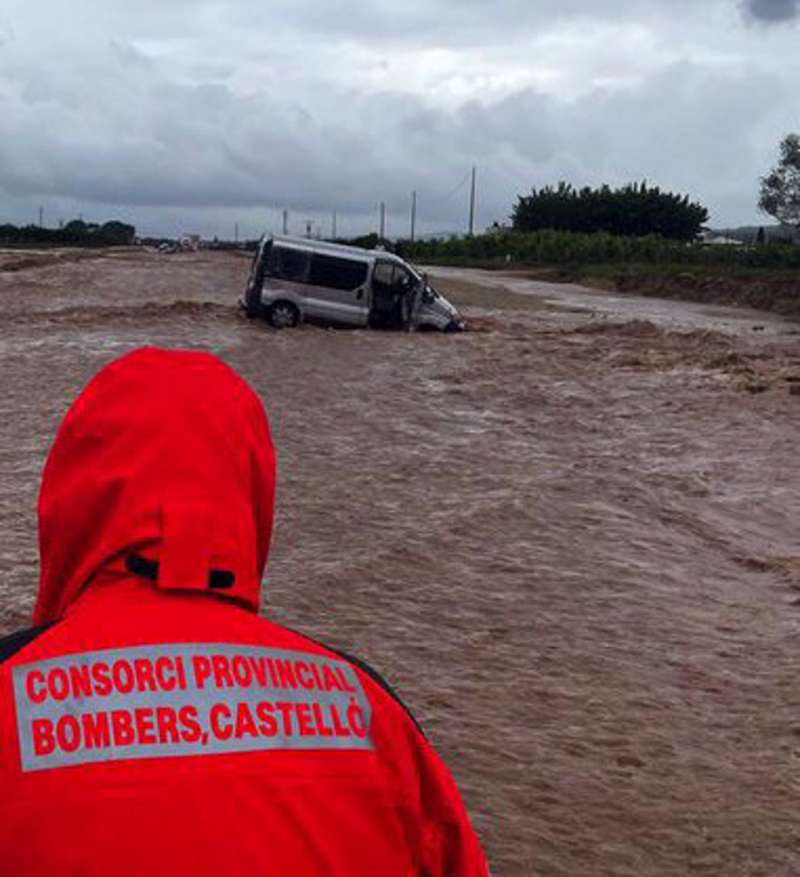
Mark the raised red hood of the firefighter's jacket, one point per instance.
(167, 454)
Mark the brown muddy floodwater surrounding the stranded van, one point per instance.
(569, 537)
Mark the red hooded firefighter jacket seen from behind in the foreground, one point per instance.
(153, 723)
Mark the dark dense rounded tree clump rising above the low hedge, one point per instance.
(635, 210)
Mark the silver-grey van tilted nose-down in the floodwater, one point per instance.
(294, 279)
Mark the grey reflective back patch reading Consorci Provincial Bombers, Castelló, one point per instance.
(185, 699)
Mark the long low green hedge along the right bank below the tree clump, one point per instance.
(568, 248)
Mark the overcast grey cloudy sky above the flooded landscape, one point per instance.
(192, 115)
